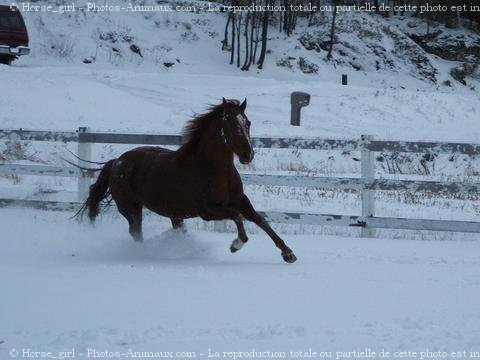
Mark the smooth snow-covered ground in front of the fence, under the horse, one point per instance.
(68, 285)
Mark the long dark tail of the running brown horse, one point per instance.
(98, 192)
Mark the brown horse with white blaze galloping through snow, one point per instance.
(198, 179)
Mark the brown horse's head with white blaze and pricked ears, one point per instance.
(236, 130)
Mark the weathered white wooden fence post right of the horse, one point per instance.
(368, 174)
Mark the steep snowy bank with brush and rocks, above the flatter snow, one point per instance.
(163, 40)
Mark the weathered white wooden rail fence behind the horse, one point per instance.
(367, 184)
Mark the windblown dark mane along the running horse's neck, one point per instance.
(193, 131)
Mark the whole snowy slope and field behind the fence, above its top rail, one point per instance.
(149, 63)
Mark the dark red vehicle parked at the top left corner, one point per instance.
(13, 34)
